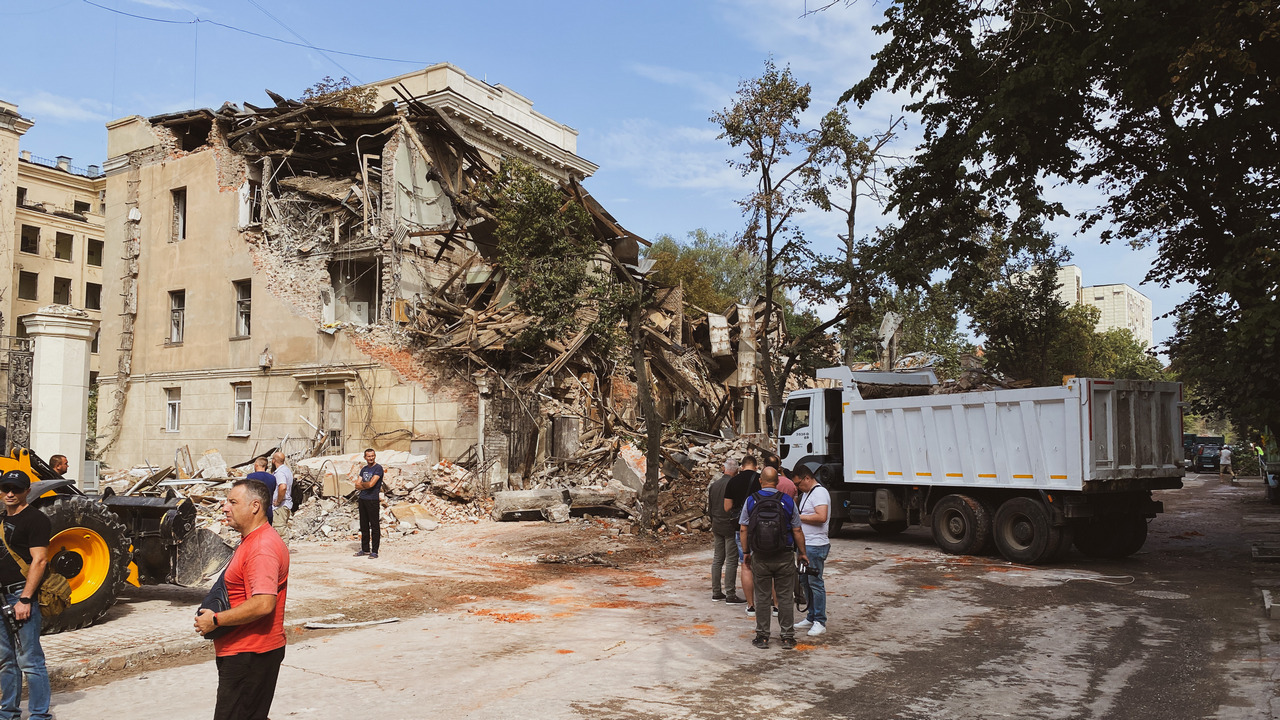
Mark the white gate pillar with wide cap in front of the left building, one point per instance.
(60, 384)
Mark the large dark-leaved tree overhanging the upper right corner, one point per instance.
(1167, 106)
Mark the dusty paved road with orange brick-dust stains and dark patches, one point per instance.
(1176, 632)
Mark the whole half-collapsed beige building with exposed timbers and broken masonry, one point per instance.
(322, 279)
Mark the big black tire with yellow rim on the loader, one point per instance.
(90, 549)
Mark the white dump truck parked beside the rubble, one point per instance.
(1030, 471)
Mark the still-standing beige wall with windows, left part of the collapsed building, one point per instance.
(289, 367)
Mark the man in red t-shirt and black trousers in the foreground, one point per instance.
(258, 577)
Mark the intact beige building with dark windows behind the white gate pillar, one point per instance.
(54, 240)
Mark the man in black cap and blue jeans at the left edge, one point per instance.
(26, 534)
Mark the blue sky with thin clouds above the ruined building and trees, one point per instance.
(637, 80)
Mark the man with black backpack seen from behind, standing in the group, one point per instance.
(770, 530)
